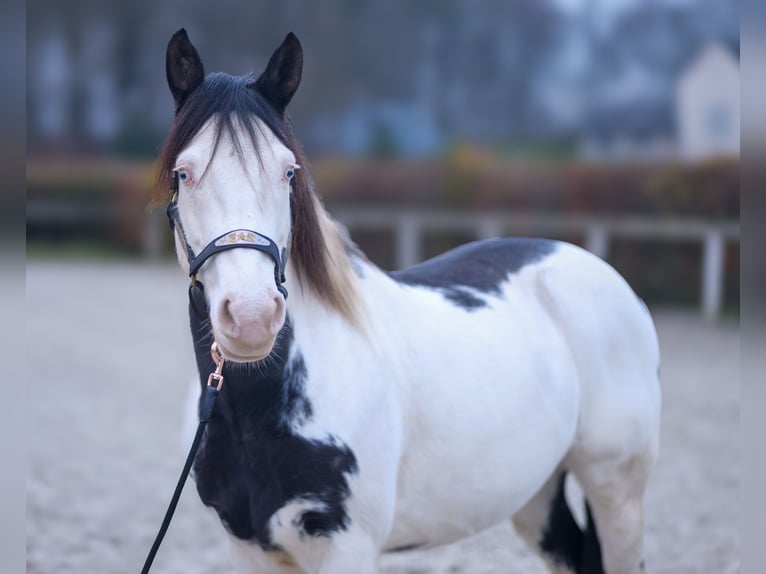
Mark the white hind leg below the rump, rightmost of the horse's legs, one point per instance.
(614, 488)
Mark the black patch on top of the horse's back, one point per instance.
(479, 266)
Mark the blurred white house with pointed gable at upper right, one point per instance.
(707, 105)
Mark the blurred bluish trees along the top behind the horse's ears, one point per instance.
(486, 70)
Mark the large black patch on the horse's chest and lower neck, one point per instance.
(251, 463)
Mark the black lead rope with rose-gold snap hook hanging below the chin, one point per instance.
(214, 384)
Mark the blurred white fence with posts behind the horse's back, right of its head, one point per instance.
(410, 226)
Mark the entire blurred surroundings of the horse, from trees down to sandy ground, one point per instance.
(613, 124)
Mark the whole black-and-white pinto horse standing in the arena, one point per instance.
(371, 411)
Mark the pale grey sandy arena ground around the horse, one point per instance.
(109, 360)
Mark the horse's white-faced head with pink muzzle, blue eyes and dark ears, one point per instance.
(232, 153)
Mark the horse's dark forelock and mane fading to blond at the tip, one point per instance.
(318, 250)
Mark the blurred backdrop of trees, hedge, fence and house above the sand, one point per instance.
(610, 123)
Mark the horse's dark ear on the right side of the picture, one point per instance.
(282, 76)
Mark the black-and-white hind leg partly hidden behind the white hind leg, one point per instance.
(546, 524)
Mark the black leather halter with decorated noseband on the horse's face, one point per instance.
(244, 238)
